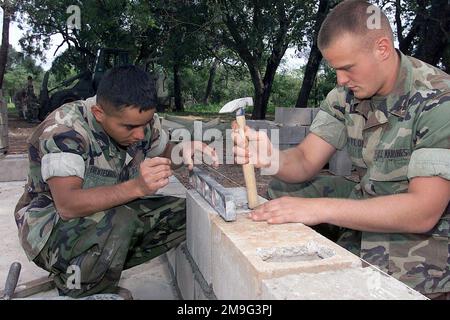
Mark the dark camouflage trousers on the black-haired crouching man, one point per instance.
(87, 255)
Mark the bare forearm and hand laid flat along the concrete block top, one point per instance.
(416, 211)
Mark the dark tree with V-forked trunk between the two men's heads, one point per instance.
(260, 31)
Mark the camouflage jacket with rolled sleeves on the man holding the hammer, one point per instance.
(391, 140)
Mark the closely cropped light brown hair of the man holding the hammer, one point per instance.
(352, 16)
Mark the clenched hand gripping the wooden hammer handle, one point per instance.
(252, 147)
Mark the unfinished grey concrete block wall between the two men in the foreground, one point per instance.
(249, 260)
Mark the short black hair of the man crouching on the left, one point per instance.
(127, 86)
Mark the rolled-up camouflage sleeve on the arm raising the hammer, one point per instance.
(329, 125)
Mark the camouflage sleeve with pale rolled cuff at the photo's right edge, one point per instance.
(431, 145)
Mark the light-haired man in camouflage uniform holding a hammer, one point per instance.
(391, 113)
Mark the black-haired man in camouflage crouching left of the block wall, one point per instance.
(90, 208)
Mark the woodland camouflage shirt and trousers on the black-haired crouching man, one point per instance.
(135, 232)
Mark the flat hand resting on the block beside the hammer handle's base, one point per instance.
(288, 209)
